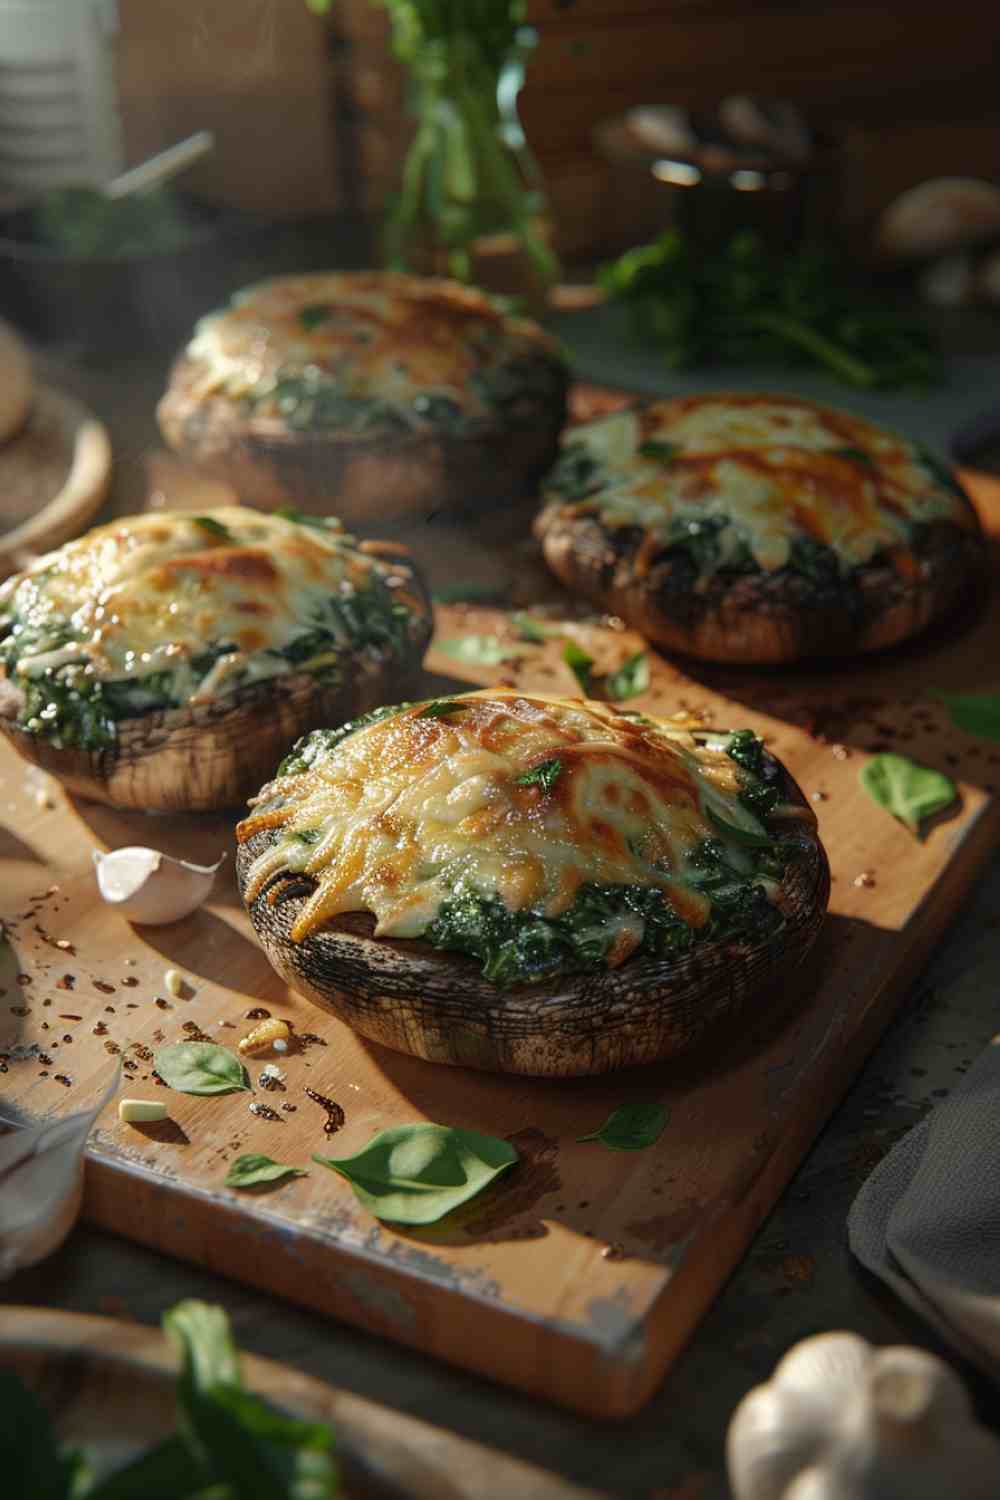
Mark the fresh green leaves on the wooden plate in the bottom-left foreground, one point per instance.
(230, 1445)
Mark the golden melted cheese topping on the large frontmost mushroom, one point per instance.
(413, 808)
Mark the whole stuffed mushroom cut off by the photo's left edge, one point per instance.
(164, 662)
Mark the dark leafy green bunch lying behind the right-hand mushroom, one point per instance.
(746, 305)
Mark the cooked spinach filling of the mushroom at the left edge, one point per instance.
(74, 709)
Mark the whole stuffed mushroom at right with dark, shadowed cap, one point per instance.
(759, 529)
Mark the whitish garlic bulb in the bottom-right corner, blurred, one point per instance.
(843, 1421)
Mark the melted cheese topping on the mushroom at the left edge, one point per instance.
(151, 593)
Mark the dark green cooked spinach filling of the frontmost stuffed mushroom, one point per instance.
(524, 947)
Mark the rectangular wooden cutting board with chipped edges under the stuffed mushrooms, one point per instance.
(582, 1271)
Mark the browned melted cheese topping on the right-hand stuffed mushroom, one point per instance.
(774, 467)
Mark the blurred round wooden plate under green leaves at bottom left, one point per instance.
(110, 1388)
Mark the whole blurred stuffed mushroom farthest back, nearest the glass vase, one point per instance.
(386, 338)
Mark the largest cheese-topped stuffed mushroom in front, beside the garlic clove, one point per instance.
(531, 886)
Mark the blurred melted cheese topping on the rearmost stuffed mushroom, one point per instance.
(379, 334)
